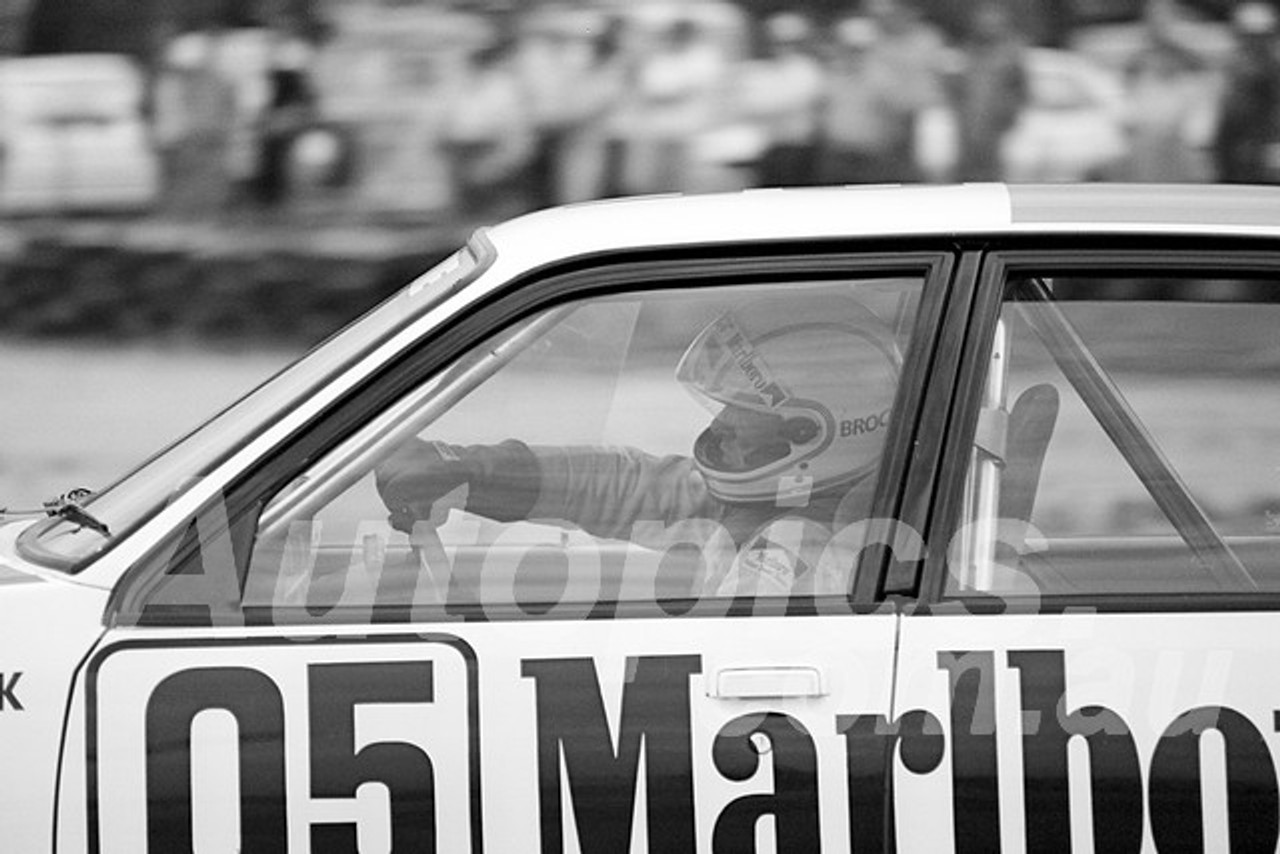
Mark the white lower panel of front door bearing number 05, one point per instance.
(488, 700)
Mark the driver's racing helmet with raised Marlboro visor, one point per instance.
(802, 390)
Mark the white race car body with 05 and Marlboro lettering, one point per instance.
(903, 713)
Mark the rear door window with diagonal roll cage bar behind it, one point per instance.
(1128, 444)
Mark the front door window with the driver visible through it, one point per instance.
(644, 454)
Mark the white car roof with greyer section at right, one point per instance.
(884, 212)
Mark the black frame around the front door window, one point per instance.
(598, 276)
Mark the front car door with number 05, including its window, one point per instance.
(634, 669)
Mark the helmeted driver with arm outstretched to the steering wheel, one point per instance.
(801, 394)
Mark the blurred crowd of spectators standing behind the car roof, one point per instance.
(578, 102)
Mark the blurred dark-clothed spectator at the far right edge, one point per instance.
(1247, 115)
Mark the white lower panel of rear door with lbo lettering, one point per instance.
(1081, 729)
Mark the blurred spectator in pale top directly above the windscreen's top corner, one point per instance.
(488, 135)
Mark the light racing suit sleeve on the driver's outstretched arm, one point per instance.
(607, 491)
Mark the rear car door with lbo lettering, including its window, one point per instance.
(1095, 642)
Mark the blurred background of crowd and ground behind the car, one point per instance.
(194, 193)
